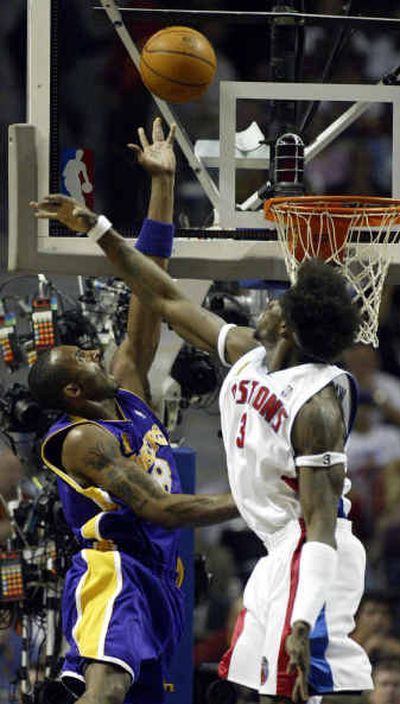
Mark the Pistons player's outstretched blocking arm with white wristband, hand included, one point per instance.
(153, 286)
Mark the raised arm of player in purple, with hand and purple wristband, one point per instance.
(133, 359)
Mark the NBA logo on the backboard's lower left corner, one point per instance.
(77, 175)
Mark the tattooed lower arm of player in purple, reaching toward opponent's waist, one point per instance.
(93, 457)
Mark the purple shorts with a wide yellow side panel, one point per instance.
(117, 611)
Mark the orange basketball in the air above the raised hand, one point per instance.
(177, 64)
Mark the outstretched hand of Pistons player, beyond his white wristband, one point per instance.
(66, 210)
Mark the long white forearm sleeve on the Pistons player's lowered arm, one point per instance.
(318, 563)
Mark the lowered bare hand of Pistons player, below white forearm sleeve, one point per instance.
(298, 650)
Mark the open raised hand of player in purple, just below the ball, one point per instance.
(157, 157)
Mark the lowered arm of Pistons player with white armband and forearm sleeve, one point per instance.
(317, 433)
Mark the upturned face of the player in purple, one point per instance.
(87, 370)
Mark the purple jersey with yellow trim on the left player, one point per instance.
(102, 521)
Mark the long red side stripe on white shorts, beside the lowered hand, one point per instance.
(285, 681)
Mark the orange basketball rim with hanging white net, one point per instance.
(355, 233)
